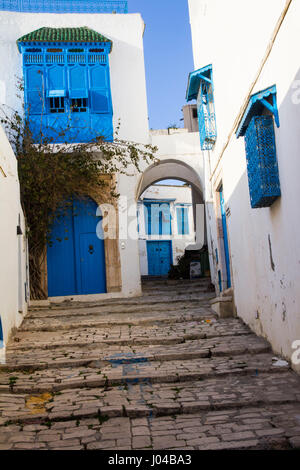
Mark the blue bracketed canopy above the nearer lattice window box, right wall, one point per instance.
(258, 103)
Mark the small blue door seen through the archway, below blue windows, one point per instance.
(159, 257)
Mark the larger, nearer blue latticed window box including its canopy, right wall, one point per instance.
(257, 125)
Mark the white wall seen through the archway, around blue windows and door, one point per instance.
(177, 195)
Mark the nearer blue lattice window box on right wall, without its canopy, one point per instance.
(262, 167)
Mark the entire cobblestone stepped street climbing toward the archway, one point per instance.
(156, 372)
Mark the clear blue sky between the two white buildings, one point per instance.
(168, 57)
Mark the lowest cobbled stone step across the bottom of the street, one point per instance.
(263, 428)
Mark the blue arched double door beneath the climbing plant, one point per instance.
(75, 255)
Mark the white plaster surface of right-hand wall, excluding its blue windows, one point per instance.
(267, 300)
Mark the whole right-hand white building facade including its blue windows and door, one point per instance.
(246, 81)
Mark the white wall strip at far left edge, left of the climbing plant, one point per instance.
(13, 249)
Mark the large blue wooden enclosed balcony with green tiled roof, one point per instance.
(67, 84)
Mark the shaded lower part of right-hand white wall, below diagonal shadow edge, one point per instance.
(265, 252)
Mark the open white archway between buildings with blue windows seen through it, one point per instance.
(169, 222)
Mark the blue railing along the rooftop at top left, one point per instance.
(64, 6)
